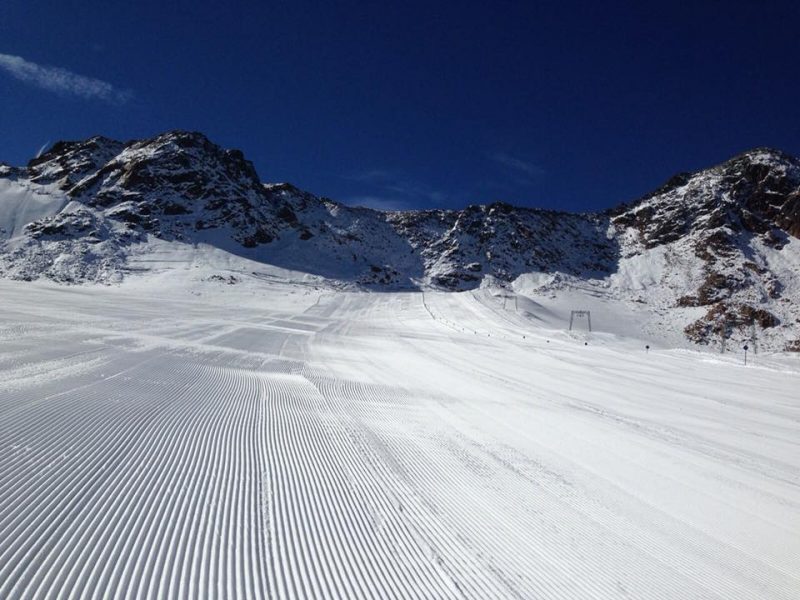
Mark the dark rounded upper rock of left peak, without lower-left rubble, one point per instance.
(168, 185)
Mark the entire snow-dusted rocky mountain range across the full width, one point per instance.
(717, 251)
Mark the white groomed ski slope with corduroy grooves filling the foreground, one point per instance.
(277, 440)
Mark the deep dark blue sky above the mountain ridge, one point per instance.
(575, 106)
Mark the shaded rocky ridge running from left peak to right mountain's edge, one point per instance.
(179, 186)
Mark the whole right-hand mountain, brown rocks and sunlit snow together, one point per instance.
(724, 245)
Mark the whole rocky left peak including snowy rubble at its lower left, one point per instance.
(176, 186)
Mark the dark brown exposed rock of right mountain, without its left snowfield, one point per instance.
(729, 217)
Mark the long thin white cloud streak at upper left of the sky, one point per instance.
(61, 81)
